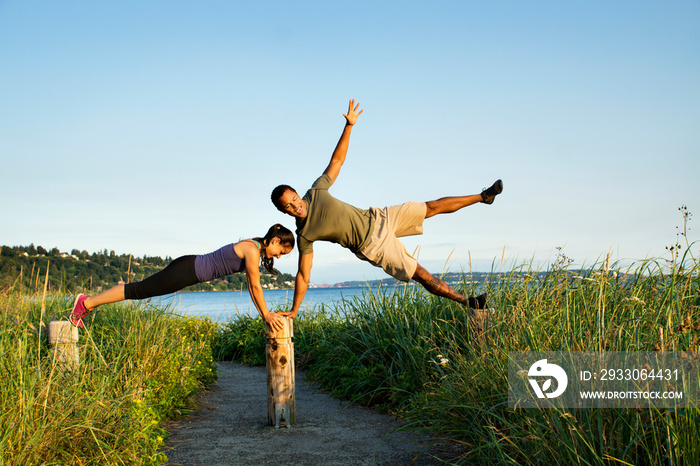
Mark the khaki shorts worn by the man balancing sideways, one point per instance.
(384, 249)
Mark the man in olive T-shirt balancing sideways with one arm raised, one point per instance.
(371, 234)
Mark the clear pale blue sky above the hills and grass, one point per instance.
(160, 128)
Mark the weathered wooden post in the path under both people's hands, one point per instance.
(279, 352)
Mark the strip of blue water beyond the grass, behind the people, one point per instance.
(222, 306)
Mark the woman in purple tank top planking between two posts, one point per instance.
(188, 270)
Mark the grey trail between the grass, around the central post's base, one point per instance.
(230, 428)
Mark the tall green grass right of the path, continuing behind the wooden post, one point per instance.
(415, 355)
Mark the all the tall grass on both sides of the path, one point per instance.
(400, 349)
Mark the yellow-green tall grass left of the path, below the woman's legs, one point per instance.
(138, 366)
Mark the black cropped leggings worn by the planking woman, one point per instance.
(176, 276)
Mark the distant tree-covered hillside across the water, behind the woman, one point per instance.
(25, 266)
